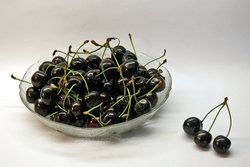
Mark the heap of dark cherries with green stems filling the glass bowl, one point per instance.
(84, 89)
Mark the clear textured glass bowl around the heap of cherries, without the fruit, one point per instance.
(114, 129)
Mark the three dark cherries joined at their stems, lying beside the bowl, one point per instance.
(193, 126)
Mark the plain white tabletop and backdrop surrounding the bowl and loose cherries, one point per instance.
(208, 57)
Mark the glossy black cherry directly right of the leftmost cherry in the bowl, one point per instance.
(48, 95)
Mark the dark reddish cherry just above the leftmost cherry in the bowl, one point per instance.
(39, 79)
